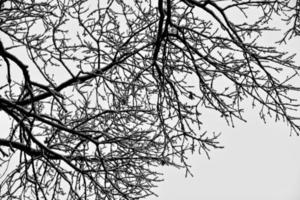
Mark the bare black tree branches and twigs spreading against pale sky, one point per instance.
(100, 93)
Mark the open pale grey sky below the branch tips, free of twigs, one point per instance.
(260, 162)
